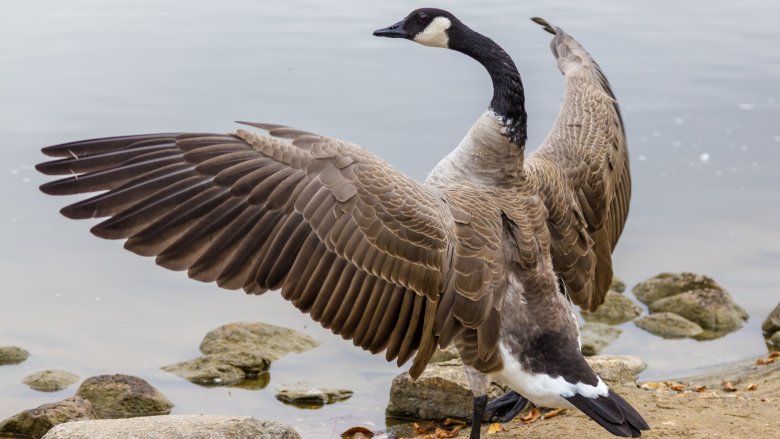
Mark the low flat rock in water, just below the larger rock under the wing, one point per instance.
(222, 369)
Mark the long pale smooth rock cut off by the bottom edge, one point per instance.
(175, 427)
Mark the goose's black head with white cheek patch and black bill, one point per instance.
(426, 26)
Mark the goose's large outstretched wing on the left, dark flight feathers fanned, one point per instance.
(368, 252)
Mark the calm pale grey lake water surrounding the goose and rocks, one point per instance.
(698, 81)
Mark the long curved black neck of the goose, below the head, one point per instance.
(508, 96)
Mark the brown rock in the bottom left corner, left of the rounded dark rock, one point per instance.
(36, 422)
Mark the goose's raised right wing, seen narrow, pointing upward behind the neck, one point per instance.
(582, 169)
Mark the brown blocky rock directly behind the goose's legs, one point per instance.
(441, 392)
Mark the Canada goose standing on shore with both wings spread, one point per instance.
(490, 253)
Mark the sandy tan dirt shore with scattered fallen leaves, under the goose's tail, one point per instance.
(680, 409)
